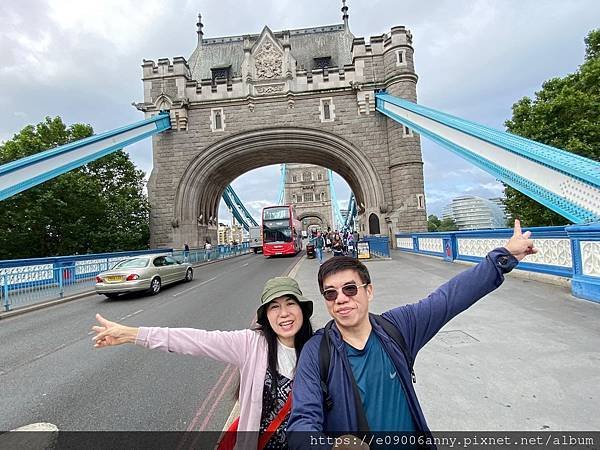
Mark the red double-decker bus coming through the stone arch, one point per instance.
(282, 232)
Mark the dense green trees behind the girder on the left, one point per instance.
(98, 207)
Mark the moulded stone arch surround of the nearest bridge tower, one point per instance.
(200, 186)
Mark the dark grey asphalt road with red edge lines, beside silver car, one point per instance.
(50, 372)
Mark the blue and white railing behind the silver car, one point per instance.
(25, 282)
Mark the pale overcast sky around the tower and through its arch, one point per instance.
(80, 60)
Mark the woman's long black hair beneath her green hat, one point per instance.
(304, 334)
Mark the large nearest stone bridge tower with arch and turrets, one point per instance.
(293, 96)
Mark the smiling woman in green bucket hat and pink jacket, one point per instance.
(266, 356)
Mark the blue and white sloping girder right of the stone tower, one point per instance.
(568, 184)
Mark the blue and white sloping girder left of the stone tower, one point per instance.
(24, 173)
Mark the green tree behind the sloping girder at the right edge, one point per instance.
(565, 114)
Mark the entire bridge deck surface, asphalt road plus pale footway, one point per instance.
(524, 358)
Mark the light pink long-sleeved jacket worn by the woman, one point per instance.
(246, 349)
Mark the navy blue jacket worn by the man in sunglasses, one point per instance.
(418, 323)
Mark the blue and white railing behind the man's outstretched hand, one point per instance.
(572, 252)
